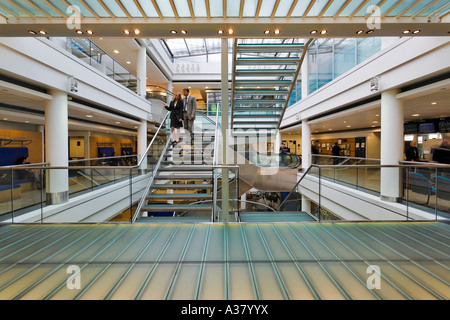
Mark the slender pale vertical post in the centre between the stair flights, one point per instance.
(224, 88)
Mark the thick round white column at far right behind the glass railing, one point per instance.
(391, 144)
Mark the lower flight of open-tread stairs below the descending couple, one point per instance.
(182, 188)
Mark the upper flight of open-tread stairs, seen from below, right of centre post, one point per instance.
(264, 77)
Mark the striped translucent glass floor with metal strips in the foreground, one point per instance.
(226, 261)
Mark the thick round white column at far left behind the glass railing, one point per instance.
(56, 147)
